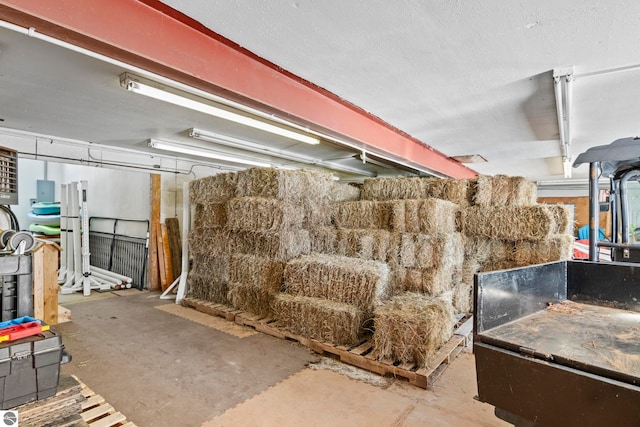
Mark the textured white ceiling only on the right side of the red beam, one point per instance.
(465, 77)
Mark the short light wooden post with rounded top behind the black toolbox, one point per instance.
(45, 283)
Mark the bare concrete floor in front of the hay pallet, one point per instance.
(161, 369)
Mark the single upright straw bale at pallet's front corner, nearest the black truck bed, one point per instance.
(410, 328)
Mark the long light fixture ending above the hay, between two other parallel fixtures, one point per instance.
(242, 144)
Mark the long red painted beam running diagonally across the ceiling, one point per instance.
(150, 35)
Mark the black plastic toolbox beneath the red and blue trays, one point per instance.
(30, 368)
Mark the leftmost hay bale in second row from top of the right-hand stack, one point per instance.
(370, 215)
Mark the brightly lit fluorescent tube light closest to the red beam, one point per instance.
(162, 95)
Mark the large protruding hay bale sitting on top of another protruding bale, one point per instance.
(361, 283)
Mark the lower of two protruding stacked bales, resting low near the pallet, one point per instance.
(320, 319)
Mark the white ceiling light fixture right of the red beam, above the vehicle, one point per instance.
(563, 86)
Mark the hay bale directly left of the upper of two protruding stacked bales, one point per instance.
(256, 270)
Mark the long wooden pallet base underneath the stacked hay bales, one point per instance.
(358, 355)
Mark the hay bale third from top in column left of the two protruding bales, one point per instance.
(281, 245)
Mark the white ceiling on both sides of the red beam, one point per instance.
(465, 77)
